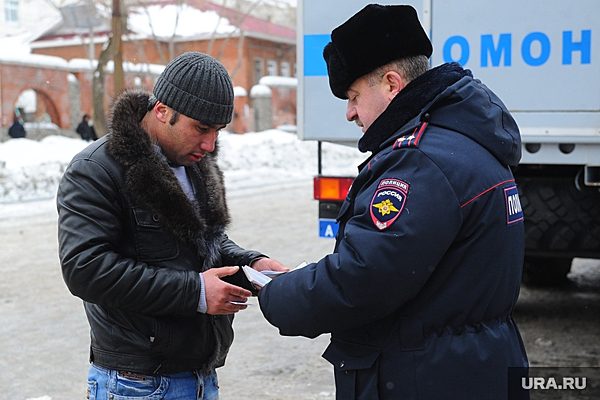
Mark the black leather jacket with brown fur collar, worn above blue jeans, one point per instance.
(132, 245)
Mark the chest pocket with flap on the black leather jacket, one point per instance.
(152, 243)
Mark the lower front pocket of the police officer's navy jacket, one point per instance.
(355, 369)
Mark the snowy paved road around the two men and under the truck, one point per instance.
(44, 334)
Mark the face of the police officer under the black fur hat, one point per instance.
(366, 101)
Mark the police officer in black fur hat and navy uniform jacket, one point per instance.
(419, 292)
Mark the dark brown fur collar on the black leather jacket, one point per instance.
(152, 184)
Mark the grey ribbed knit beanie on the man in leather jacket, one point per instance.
(198, 86)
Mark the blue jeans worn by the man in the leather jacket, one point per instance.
(104, 384)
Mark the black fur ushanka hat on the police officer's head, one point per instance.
(371, 38)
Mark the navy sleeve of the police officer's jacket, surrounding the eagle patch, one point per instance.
(374, 272)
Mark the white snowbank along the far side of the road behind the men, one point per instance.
(31, 170)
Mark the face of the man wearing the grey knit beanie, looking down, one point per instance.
(186, 141)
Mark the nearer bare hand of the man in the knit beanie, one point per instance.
(220, 294)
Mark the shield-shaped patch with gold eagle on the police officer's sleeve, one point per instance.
(388, 202)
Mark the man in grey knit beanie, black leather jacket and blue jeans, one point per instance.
(142, 219)
